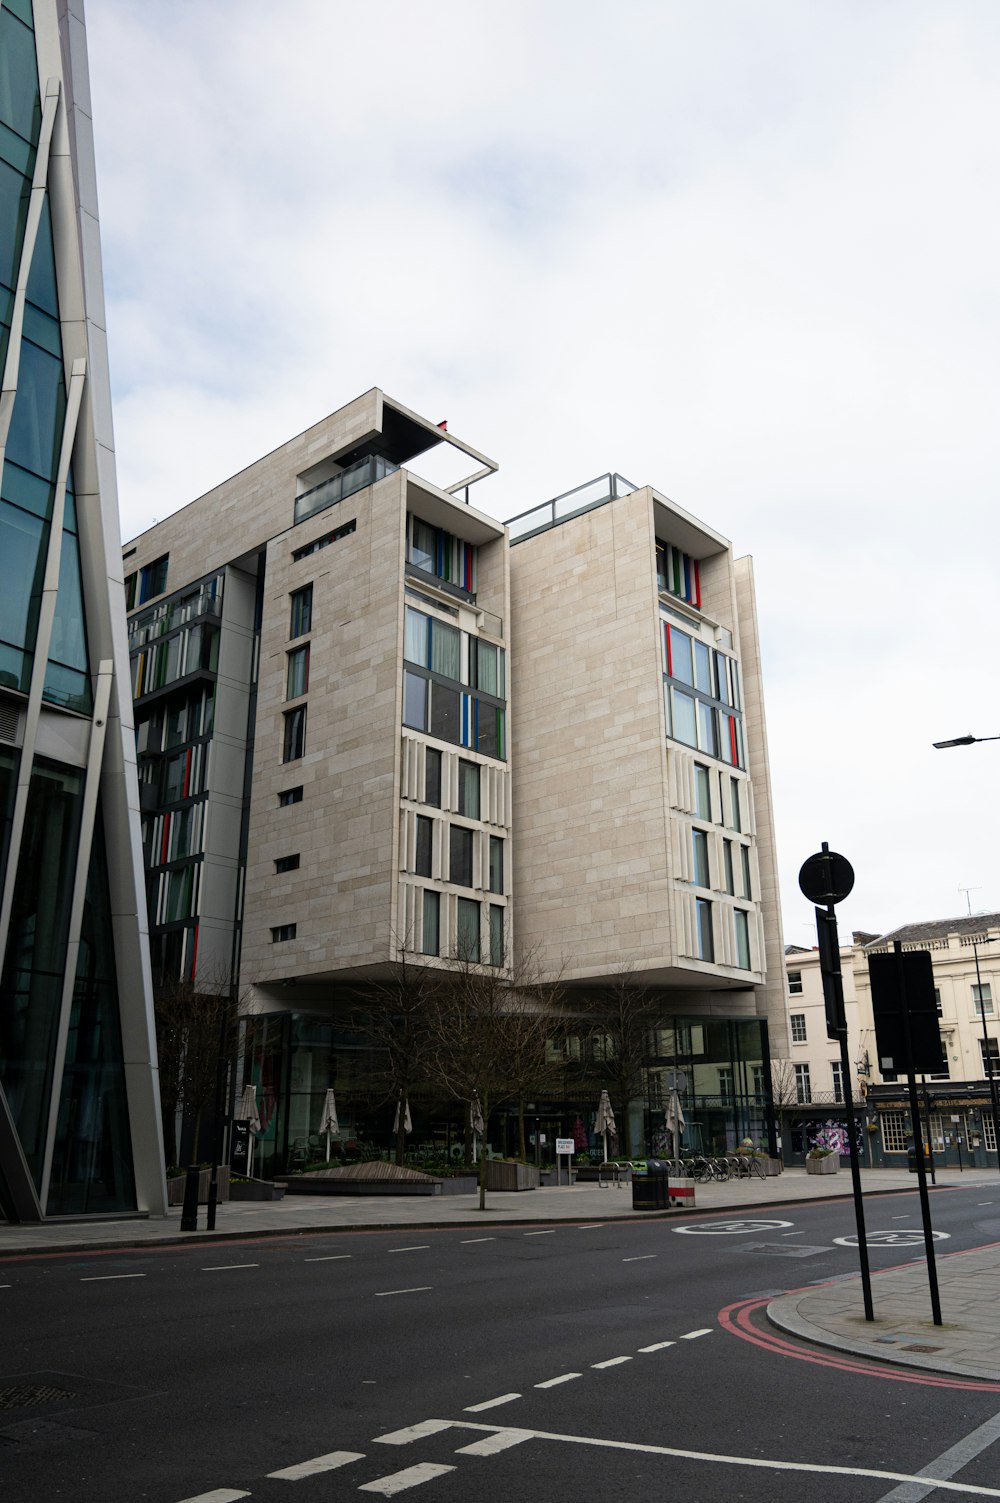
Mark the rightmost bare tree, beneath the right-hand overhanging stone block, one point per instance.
(620, 1018)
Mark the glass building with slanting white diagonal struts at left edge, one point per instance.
(79, 1120)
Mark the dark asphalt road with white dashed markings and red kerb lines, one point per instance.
(584, 1361)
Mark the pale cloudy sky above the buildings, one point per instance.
(745, 253)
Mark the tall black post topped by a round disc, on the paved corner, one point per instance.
(828, 879)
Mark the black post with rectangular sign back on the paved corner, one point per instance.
(909, 1039)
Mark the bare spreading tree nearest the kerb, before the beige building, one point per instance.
(488, 1035)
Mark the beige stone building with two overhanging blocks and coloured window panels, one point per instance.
(338, 769)
